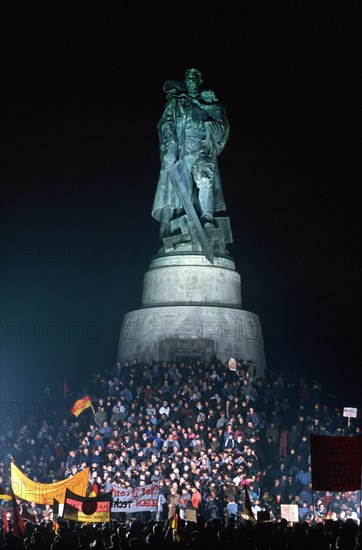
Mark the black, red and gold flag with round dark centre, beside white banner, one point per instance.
(87, 509)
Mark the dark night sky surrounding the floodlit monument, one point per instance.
(83, 95)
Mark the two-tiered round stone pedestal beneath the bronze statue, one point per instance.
(191, 309)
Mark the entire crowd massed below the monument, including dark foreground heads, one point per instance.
(207, 434)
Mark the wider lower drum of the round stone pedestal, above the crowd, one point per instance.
(232, 333)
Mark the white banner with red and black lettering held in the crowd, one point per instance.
(134, 499)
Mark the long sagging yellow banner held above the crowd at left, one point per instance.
(45, 493)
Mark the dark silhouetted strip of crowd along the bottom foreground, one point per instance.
(214, 533)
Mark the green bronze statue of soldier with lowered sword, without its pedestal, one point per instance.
(193, 131)
